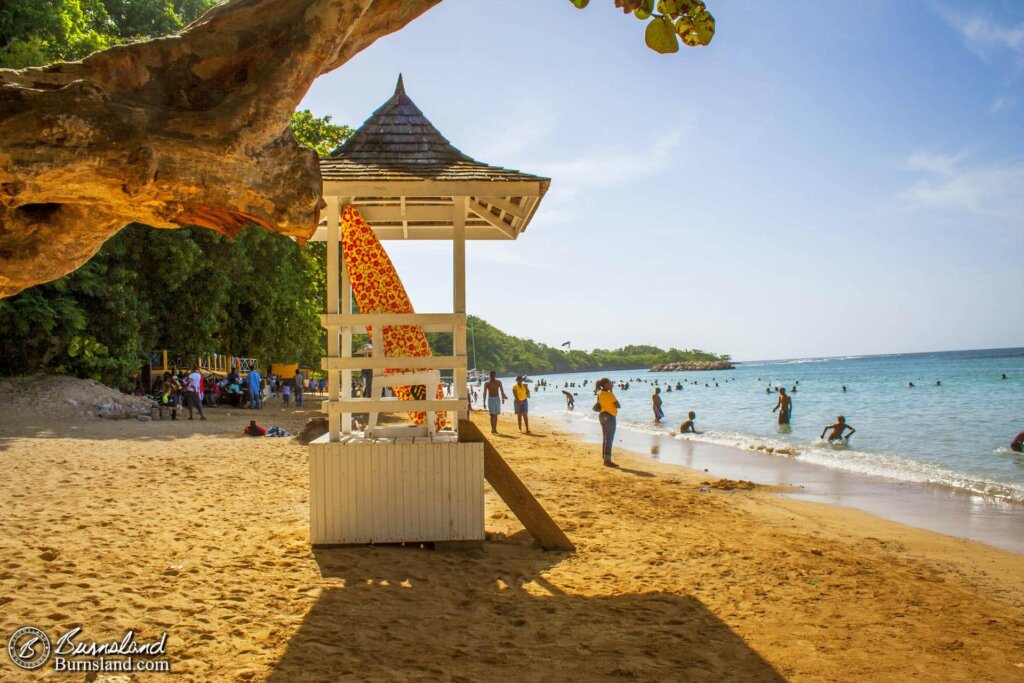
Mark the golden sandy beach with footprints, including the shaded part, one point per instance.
(192, 529)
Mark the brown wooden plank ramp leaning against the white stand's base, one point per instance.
(515, 493)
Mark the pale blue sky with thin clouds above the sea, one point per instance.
(826, 179)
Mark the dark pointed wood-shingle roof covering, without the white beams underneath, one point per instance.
(398, 143)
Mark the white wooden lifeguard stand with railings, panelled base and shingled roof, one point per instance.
(407, 485)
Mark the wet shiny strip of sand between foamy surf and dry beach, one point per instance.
(925, 506)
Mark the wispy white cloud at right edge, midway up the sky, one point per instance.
(992, 192)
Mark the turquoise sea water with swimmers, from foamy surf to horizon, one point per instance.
(956, 435)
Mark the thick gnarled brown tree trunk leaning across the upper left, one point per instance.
(190, 130)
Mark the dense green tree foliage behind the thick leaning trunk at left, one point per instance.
(191, 291)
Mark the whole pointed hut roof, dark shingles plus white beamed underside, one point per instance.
(409, 183)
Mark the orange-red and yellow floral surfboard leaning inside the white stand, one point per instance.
(378, 289)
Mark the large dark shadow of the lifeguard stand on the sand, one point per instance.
(399, 614)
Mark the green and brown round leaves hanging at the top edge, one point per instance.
(688, 21)
